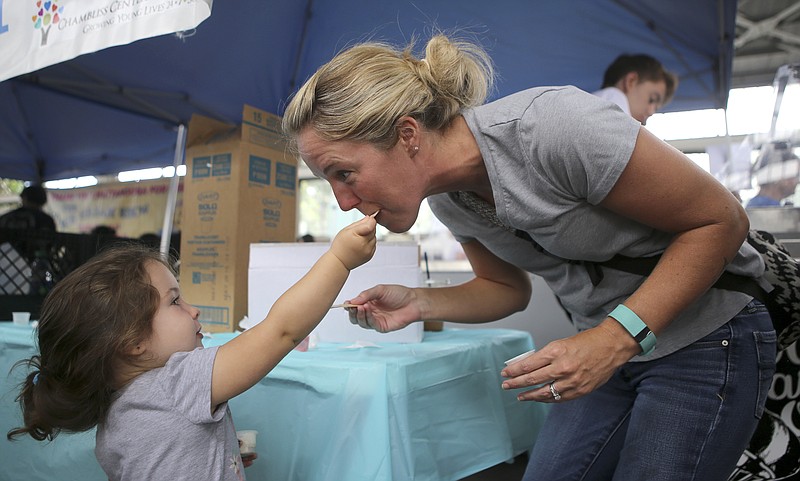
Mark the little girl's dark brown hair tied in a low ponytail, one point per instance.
(88, 323)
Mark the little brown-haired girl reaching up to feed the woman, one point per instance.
(121, 350)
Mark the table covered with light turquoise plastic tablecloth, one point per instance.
(425, 411)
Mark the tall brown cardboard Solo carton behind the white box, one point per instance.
(240, 188)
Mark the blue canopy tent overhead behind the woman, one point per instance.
(120, 108)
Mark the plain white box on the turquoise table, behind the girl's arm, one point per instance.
(276, 267)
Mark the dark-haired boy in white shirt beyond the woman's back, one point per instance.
(638, 84)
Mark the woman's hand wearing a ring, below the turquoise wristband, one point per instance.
(575, 366)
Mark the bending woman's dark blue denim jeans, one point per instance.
(687, 416)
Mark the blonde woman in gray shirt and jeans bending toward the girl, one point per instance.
(666, 378)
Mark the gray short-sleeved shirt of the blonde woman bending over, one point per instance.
(552, 155)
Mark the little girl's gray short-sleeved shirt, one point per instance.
(161, 426)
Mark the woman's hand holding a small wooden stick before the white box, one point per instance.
(385, 308)
